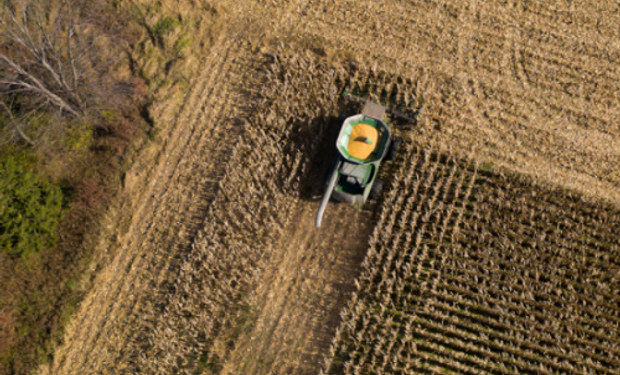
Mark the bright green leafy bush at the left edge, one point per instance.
(29, 209)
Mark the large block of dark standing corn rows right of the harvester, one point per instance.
(504, 277)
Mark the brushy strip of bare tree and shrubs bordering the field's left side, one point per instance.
(56, 52)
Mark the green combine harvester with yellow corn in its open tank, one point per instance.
(364, 141)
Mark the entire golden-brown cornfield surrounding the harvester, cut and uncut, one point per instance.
(491, 250)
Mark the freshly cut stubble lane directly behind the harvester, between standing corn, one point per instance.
(296, 308)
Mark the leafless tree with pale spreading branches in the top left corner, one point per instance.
(51, 58)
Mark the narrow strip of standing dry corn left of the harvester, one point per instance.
(257, 191)
